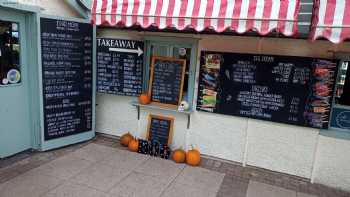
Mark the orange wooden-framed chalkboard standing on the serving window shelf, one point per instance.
(166, 81)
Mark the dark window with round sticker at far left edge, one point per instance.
(9, 53)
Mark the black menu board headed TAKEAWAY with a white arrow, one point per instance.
(119, 66)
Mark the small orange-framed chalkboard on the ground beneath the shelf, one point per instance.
(160, 129)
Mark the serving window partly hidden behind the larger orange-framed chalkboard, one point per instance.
(175, 48)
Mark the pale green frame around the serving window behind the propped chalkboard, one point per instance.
(191, 43)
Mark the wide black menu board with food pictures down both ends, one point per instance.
(285, 89)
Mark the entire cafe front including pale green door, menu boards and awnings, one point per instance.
(260, 83)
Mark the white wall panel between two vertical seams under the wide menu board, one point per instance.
(281, 147)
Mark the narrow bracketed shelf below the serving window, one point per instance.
(157, 107)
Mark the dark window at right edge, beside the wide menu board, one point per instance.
(342, 93)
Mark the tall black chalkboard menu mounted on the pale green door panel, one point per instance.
(66, 53)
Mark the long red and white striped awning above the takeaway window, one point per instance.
(241, 16)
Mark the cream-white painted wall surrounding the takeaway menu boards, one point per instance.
(278, 147)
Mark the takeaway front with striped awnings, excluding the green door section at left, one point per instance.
(261, 88)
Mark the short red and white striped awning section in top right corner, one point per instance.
(331, 20)
